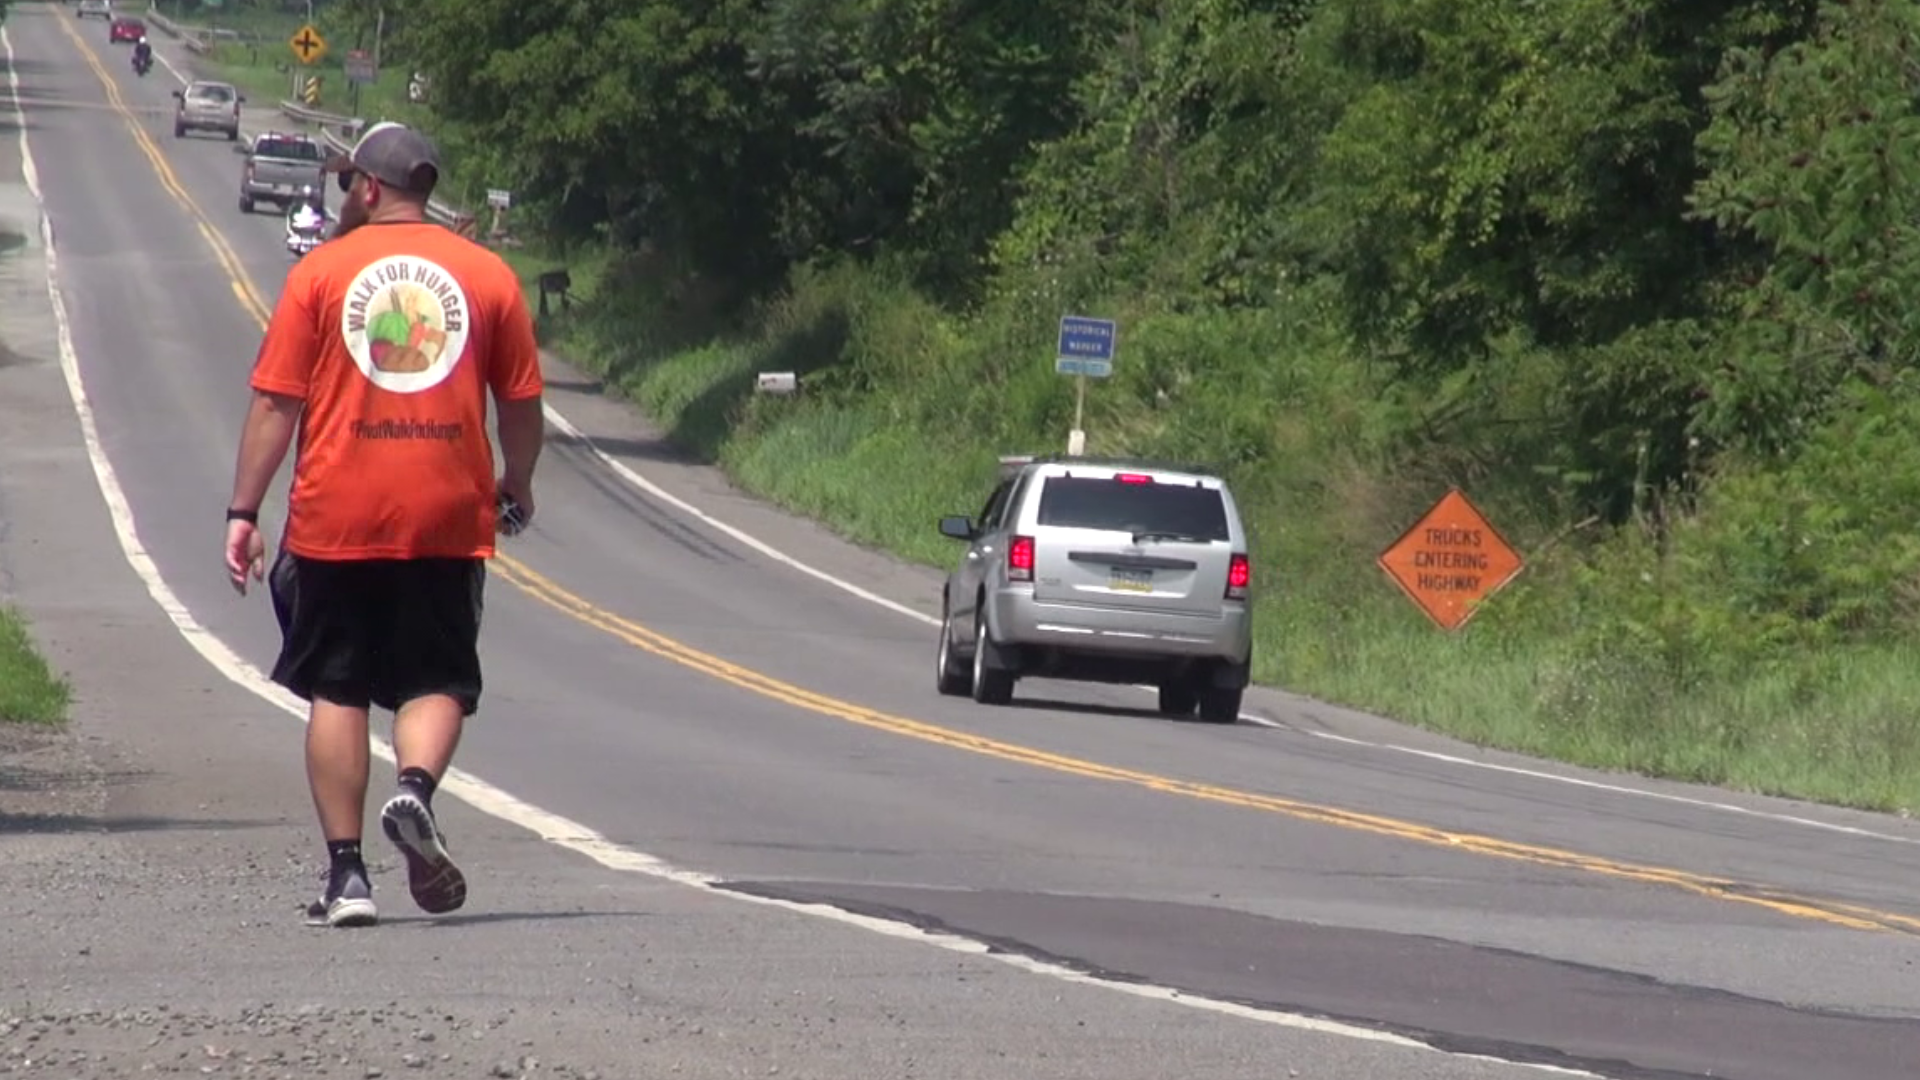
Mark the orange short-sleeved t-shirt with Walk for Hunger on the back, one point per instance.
(393, 335)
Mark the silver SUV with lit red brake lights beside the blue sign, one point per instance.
(1101, 572)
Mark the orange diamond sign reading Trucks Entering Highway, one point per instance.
(1451, 562)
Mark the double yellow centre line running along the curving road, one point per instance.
(542, 589)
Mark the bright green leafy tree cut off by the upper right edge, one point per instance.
(1813, 151)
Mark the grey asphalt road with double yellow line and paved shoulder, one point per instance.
(688, 697)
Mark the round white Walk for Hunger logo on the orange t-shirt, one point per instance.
(404, 324)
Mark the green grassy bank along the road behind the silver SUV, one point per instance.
(1598, 654)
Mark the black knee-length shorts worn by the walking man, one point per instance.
(379, 631)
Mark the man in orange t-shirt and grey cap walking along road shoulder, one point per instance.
(381, 355)
